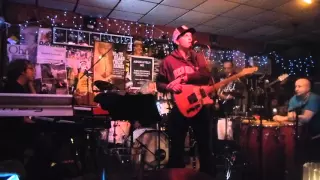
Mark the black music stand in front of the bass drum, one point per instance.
(138, 107)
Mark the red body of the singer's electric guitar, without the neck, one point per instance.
(191, 100)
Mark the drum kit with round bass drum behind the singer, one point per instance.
(146, 148)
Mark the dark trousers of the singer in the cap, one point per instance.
(178, 127)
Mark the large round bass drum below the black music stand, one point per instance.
(149, 138)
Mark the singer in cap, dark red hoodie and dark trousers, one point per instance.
(185, 66)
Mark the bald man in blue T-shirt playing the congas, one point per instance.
(309, 105)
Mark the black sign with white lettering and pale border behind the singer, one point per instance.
(141, 70)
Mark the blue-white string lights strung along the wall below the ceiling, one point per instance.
(151, 33)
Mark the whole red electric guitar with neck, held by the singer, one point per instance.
(192, 97)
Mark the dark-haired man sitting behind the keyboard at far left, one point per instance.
(20, 75)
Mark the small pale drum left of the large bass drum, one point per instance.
(118, 133)
